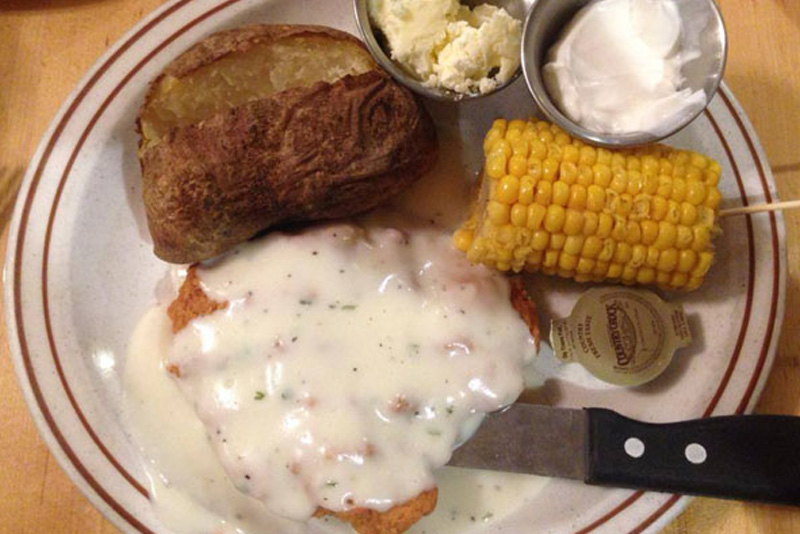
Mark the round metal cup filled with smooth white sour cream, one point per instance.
(623, 72)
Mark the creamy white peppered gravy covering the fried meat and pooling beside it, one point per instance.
(346, 366)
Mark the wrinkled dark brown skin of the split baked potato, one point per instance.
(318, 152)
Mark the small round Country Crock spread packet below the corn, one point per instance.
(622, 336)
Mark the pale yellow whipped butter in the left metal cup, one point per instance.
(447, 45)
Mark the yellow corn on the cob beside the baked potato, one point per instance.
(551, 203)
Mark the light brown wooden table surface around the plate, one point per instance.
(47, 45)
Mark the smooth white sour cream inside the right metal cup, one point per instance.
(616, 68)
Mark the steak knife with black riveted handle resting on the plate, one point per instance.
(746, 457)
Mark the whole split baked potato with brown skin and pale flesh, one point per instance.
(272, 124)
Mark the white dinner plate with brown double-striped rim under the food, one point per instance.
(80, 272)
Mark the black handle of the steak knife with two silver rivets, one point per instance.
(755, 457)
